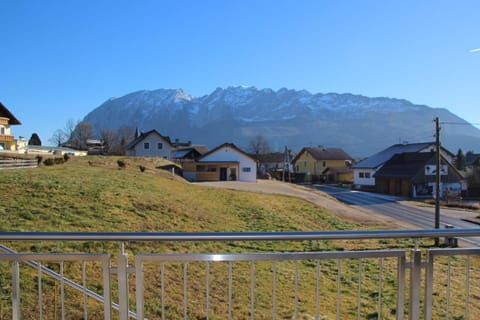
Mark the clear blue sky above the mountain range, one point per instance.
(61, 59)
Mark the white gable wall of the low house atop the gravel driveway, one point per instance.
(248, 167)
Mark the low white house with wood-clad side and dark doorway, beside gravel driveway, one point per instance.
(226, 162)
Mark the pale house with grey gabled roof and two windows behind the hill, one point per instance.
(150, 144)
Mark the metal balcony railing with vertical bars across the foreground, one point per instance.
(417, 282)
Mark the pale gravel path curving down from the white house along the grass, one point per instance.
(321, 199)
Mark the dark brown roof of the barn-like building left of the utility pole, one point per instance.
(405, 165)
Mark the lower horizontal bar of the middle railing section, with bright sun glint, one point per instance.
(270, 256)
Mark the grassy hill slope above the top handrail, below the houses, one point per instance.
(96, 194)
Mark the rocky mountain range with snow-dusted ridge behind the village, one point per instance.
(358, 124)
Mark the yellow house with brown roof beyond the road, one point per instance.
(324, 164)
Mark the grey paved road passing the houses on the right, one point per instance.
(395, 207)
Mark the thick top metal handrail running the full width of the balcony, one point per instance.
(237, 236)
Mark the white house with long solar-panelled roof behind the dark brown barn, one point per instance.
(364, 171)
